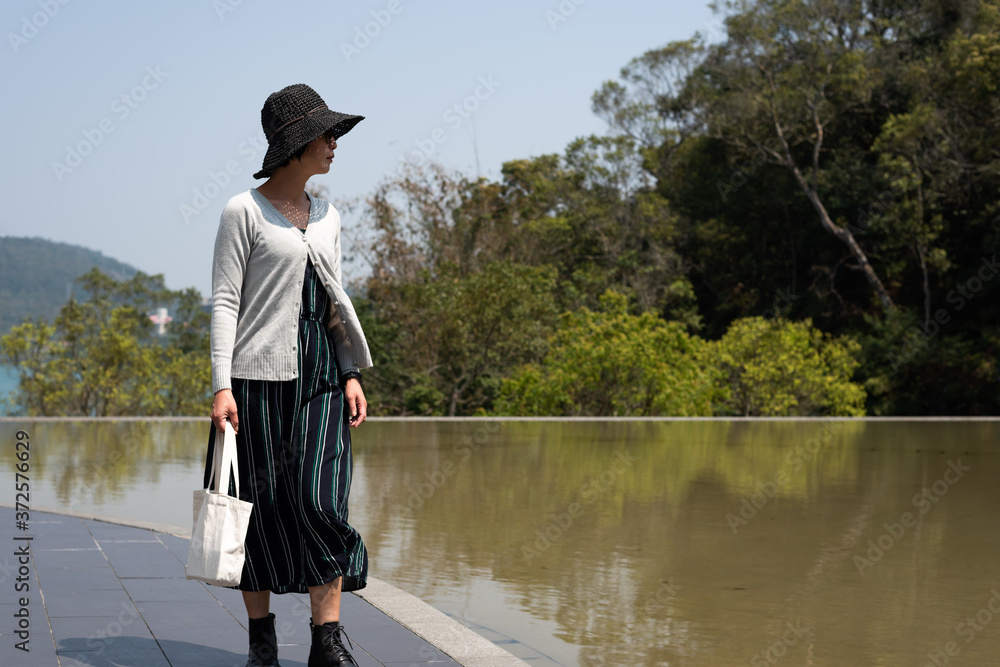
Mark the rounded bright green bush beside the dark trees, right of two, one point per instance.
(774, 367)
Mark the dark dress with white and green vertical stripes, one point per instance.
(295, 465)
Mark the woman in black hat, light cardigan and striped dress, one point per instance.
(287, 350)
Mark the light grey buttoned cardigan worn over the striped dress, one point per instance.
(257, 273)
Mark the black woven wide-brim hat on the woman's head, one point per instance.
(294, 116)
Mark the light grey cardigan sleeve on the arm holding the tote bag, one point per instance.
(233, 243)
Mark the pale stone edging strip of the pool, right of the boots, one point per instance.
(462, 644)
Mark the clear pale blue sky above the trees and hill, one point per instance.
(159, 95)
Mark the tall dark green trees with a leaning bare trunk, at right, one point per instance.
(868, 118)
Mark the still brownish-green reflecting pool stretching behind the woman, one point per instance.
(636, 542)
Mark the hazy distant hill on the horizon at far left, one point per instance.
(37, 276)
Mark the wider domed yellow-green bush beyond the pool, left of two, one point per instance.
(613, 363)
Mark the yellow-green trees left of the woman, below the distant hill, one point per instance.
(102, 357)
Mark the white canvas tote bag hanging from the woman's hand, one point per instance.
(220, 521)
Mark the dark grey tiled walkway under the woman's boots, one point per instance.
(106, 595)
